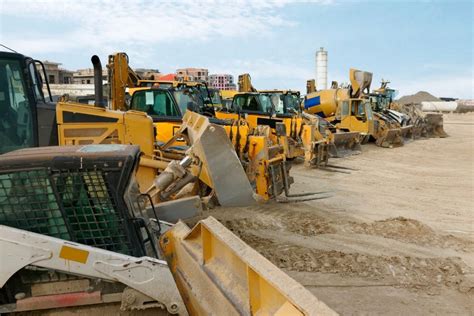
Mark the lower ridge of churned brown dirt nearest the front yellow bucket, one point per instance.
(409, 272)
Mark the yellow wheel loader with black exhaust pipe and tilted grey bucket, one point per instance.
(31, 121)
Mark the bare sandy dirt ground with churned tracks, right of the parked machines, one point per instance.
(395, 237)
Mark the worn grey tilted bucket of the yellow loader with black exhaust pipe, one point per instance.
(211, 144)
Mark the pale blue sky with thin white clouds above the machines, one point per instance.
(417, 45)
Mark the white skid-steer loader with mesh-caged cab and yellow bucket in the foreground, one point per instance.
(77, 236)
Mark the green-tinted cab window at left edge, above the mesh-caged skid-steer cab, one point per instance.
(16, 123)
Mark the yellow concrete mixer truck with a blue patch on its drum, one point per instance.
(349, 109)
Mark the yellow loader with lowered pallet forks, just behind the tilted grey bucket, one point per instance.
(168, 102)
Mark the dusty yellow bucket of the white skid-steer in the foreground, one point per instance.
(218, 274)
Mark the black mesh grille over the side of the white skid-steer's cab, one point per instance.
(75, 205)
